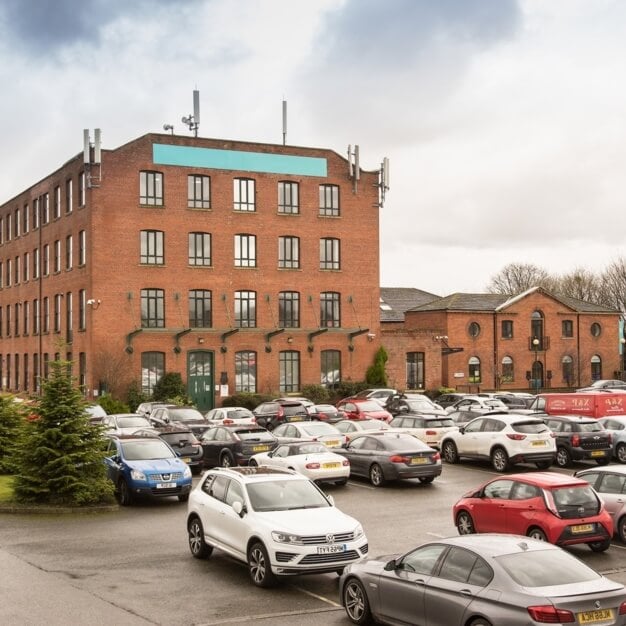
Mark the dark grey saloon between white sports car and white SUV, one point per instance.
(382, 457)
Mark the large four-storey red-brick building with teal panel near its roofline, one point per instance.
(243, 266)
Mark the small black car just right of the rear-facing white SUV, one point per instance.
(579, 438)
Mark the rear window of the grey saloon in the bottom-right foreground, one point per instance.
(543, 568)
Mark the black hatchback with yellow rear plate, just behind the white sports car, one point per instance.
(234, 445)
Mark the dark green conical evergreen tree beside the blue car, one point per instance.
(60, 459)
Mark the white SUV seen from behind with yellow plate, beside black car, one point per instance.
(504, 439)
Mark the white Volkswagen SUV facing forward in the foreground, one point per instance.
(276, 521)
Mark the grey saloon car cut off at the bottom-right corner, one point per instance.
(479, 580)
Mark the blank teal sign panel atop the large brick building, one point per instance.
(238, 160)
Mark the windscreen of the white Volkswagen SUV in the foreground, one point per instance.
(285, 495)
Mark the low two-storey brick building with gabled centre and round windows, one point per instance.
(531, 341)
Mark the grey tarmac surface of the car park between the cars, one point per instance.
(133, 566)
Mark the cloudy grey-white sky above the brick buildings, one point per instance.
(504, 120)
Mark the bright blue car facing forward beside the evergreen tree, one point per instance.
(140, 466)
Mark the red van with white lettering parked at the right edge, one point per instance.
(585, 403)
